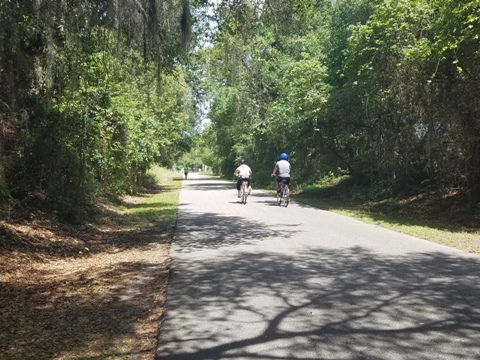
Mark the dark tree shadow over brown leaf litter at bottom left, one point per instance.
(68, 318)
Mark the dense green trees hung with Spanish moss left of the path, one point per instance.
(92, 102)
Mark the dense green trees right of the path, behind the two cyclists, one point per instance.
(376, 89)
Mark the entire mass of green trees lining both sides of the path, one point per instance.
(92, 93)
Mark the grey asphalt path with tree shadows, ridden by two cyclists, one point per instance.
(259, 281)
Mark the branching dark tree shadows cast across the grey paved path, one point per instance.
(347, 303)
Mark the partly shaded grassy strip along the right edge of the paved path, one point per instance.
(438, 218)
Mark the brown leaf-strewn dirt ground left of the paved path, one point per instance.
(78, 292)
